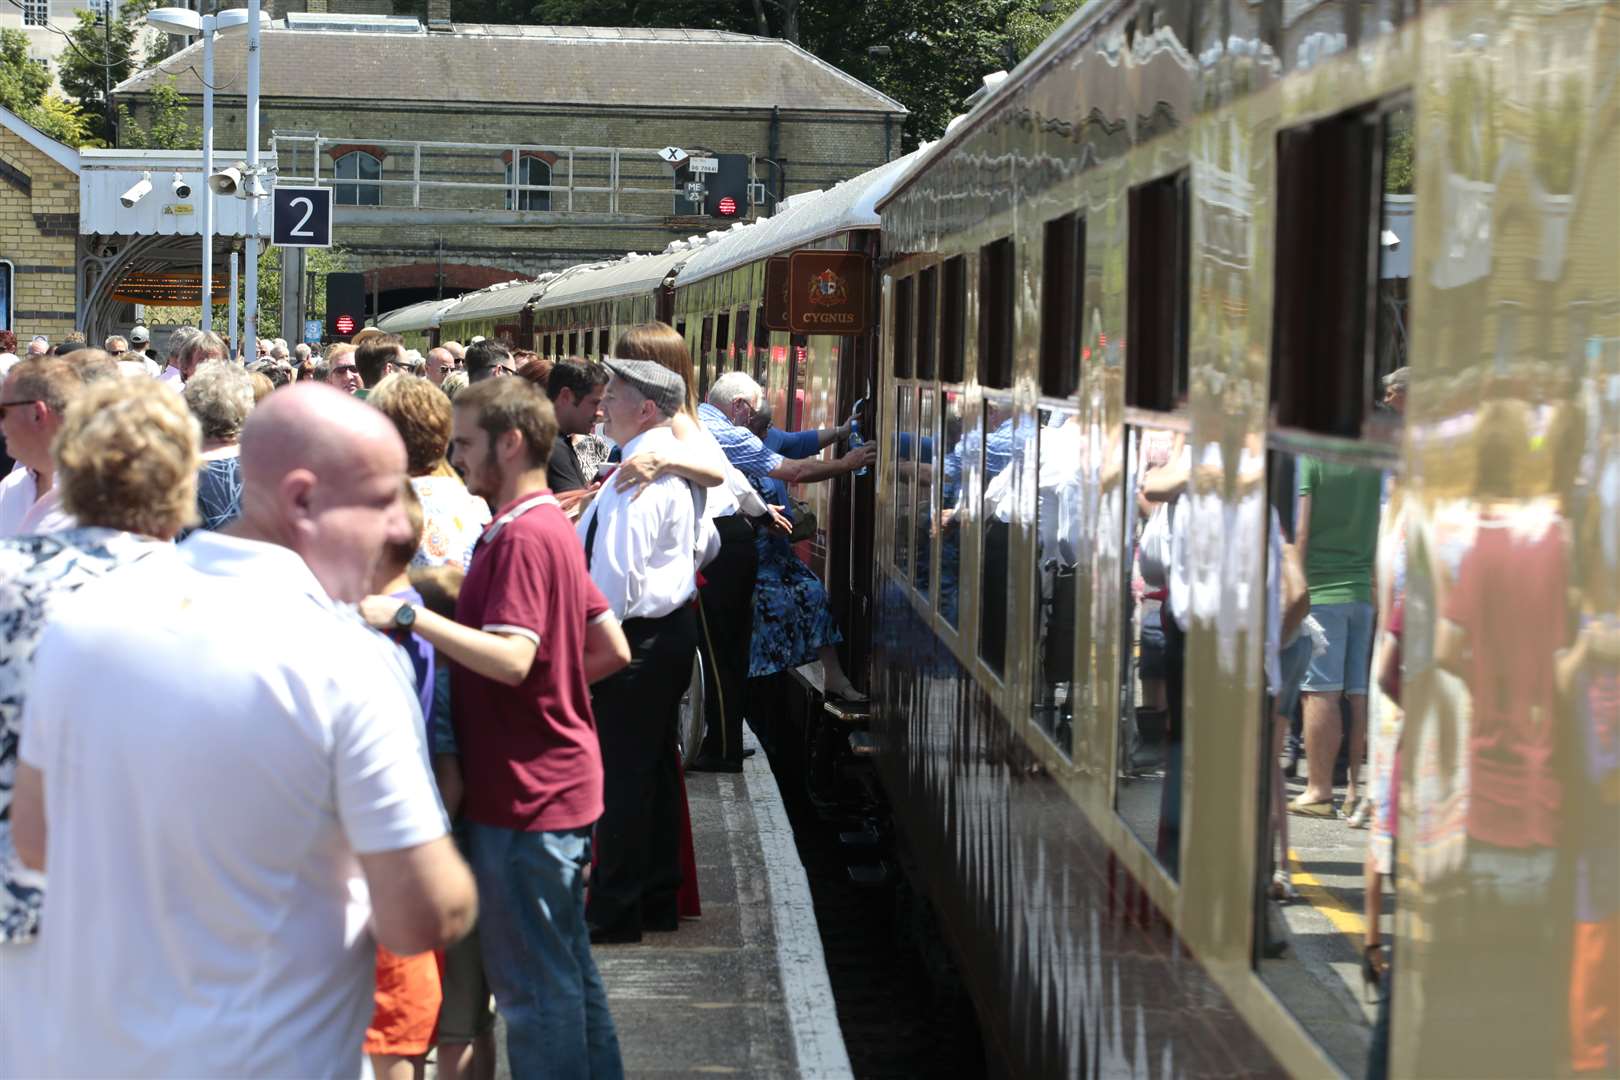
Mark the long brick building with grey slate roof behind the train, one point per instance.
(372, 103)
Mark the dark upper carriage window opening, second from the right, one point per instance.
(1157, 300)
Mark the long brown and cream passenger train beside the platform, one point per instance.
(1266, 242)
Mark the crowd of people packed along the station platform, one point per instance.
(401, 729)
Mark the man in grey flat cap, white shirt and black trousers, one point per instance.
(639, 546)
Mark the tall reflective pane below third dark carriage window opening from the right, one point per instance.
(1057, 572)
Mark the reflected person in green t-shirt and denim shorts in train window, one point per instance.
(1337, 537)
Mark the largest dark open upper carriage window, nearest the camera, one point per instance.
(1344, 187)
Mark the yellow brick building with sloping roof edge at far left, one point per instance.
(40, 232)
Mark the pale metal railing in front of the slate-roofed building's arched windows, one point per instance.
(456, 176)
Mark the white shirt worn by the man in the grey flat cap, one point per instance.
(644, 545)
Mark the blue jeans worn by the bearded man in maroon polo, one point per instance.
(539, 953)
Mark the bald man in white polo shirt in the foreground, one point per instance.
(242, 781)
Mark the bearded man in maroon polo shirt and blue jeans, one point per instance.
(531, 634)
